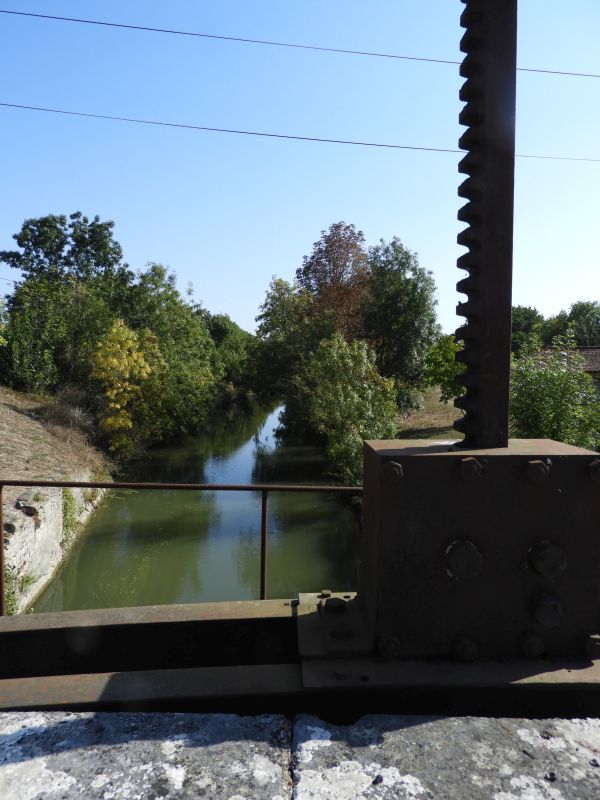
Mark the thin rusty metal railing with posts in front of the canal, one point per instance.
(263, 488)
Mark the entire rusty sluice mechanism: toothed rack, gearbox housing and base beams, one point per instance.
(480, 570)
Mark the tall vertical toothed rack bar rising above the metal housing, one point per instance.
(489, 114)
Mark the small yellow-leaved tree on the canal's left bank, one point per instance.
(121, 367)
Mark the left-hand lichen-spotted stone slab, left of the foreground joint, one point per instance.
(143, 756)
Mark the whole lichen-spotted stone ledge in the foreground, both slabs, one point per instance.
(179, 756)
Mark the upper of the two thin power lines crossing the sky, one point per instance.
(270, 43)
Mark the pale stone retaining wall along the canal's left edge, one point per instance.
(36, 538)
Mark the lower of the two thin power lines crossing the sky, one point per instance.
(189, 126)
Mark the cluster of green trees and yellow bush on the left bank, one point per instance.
(122, 348)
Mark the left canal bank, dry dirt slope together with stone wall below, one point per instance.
(42, 439)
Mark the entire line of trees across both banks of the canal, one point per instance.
(348, 346)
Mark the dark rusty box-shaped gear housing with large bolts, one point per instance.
(487, 553)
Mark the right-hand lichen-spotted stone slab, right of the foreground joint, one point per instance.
(463, 758)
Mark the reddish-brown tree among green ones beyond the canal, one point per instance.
(335, 274)
